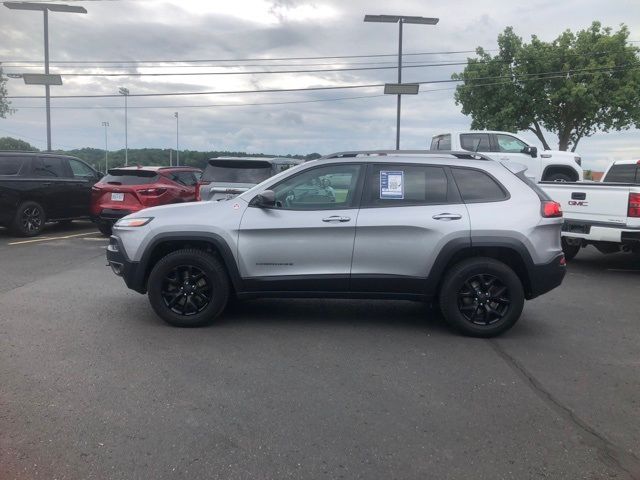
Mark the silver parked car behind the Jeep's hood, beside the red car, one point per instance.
(226, 177)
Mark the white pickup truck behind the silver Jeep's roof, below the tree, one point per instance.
(543, 165)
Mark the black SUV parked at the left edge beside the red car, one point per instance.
(39, 187)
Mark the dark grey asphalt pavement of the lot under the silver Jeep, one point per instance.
(94, 386)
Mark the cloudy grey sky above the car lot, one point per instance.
(255, 34)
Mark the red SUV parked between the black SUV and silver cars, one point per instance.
(129, 189)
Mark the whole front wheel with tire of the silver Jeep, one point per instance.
(188, 288)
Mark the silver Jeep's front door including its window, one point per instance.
(304, 242)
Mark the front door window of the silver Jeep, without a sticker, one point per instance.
(325, 188)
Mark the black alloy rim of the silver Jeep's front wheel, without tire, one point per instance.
(186, 290)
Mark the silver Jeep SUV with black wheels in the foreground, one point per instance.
(458, 228)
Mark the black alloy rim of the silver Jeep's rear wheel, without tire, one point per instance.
(483, 300)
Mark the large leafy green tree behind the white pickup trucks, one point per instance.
(573, 86)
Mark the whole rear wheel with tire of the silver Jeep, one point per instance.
(481, 297)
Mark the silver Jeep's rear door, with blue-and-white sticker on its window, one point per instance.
(409, 212)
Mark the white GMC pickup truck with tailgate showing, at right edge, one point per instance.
(604, 214)
